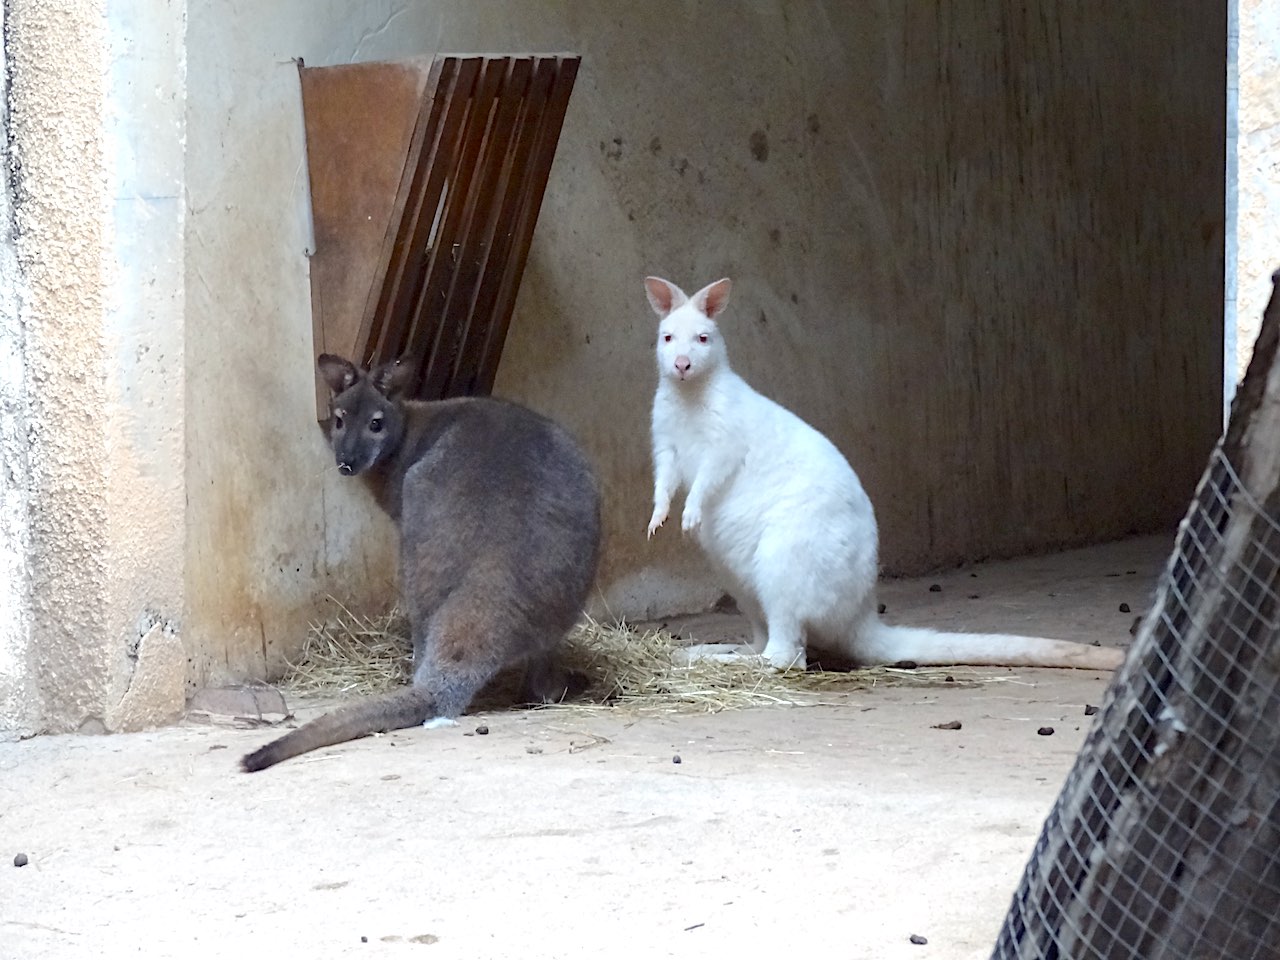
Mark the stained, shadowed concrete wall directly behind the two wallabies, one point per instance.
(982, 250)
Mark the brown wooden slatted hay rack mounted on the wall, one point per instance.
(427, 179)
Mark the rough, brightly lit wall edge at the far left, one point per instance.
(95, 500)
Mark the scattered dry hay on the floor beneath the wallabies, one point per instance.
(623, 666)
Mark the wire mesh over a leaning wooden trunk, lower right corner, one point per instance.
(1165, 840)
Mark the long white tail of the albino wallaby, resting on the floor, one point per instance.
(883, 643)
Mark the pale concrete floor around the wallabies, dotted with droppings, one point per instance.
(834, 831)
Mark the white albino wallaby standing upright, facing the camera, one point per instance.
(780, 511)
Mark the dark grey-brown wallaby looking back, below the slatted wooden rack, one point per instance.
(500, 527)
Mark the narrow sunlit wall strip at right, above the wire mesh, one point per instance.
(1258, 161)
